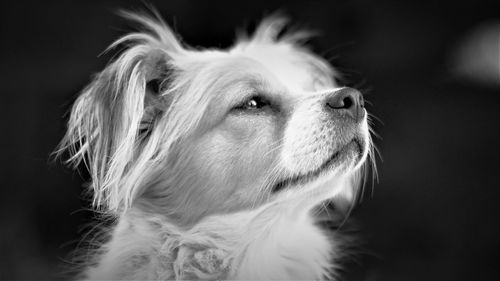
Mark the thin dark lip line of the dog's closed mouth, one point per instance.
(308, 177)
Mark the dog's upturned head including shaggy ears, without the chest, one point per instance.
(197, 132)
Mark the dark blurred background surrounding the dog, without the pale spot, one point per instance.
(433, 214)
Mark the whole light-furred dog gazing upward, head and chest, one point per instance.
(213, 162)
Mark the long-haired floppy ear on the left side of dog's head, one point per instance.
(110, 120)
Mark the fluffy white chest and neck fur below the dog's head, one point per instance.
(258, 245)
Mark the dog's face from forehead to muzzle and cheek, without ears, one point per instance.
(268, 129)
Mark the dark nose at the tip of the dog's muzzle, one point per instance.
(348, 101)
